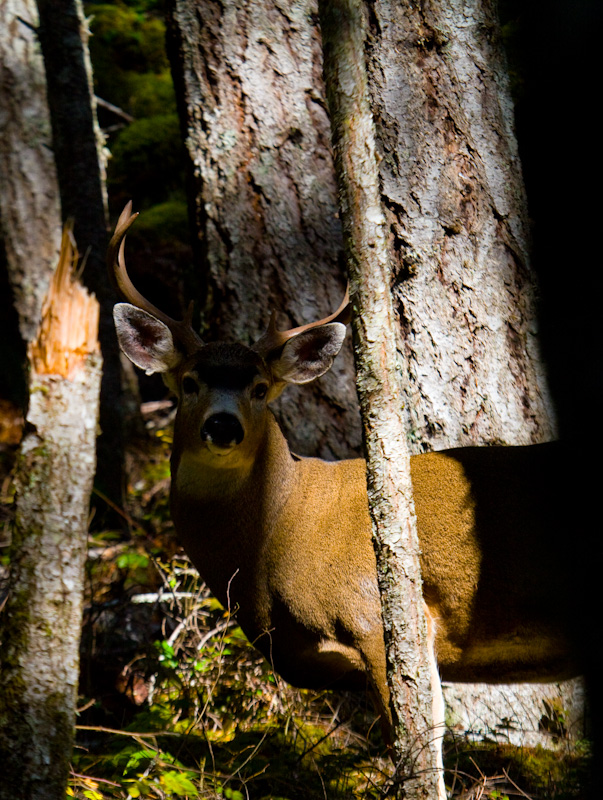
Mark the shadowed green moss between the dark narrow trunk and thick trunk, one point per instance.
(131, 71)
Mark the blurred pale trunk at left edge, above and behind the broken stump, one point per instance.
(29, 205)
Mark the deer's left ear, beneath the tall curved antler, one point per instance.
(146, 341)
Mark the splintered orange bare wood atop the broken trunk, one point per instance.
(69, 328)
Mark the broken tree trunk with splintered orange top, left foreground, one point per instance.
(41, 620)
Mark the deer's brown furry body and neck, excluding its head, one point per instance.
(289, 547)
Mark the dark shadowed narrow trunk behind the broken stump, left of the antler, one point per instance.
(63, 37)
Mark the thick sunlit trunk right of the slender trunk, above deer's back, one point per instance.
(452, 184)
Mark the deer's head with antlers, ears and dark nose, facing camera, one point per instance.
(223, 388)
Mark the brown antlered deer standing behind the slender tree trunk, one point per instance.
(286, 540)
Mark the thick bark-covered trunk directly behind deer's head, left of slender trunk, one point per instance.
(257, 132)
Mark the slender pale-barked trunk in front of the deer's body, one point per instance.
(344, 30)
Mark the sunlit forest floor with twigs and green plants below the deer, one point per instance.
(174, 702)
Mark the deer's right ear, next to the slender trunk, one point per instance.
(309, 354)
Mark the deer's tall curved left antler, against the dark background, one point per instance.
(182, 330)
